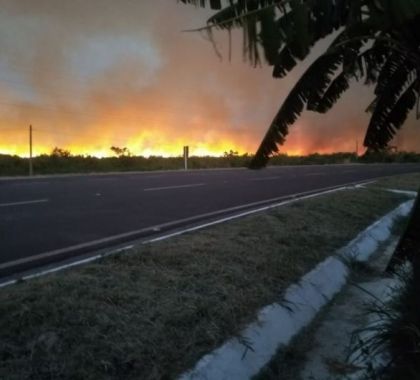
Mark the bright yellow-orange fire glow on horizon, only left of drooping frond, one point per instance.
(143, 144)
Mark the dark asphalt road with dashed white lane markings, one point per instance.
(45, 214)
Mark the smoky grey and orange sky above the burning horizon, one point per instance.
(88, 75)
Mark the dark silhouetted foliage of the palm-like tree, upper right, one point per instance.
(377, 41)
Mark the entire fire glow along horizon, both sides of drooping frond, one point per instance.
(152, 142)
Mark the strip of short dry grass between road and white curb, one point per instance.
(155, 312)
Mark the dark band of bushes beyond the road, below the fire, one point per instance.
(67, 163)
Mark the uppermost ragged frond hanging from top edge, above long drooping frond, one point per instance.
(281, 28)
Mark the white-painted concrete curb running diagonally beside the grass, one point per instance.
(241, 358)
